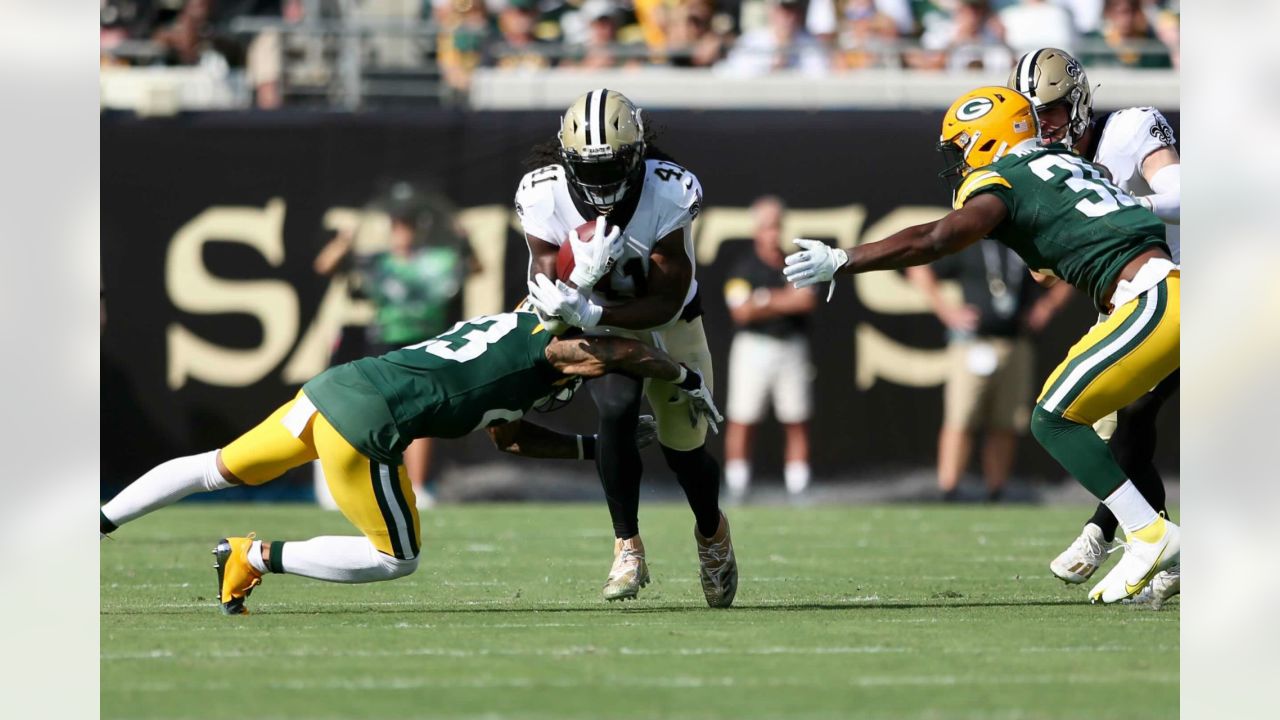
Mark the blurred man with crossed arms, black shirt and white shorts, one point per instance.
(770, 357)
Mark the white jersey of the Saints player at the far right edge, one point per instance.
(1127, 138)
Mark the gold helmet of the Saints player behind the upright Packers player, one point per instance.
(1052, 76)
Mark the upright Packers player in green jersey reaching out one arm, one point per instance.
(1068, 222)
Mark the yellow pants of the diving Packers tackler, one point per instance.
(377, 498)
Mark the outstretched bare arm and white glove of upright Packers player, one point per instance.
(916, 245)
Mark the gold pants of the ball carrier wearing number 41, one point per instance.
(685, 343)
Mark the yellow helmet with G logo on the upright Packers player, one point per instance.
(981, 127)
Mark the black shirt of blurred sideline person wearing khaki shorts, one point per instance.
(980, 268)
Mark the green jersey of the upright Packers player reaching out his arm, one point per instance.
(1066, 218)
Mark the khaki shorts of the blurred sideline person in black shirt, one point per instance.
(990, 385)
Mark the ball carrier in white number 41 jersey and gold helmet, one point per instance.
(633, 277)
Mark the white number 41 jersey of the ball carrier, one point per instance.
(670, 199)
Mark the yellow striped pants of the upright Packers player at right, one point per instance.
(1119, 359)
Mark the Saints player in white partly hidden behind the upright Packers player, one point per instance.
(1139, 148)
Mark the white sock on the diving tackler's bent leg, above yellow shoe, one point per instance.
(342, 560)
